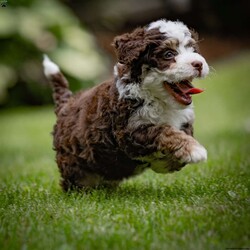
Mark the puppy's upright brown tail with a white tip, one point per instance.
(60, 86)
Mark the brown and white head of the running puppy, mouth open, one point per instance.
(162, 59)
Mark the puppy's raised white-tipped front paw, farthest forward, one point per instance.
(193, 153)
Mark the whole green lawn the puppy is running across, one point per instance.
(204, 206)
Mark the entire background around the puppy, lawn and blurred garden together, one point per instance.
(206, 206)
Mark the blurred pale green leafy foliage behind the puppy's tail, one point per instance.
(30, 28)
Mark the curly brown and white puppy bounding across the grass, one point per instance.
(140, 119)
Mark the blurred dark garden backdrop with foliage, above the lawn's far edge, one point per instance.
(77, 36)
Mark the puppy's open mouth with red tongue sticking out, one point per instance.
(182, 91)
